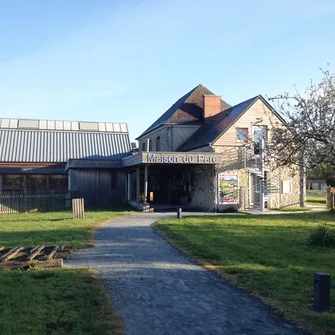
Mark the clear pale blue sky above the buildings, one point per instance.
(129, 61)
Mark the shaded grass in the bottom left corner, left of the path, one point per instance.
(55, 302)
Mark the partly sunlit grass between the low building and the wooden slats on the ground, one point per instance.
(52, 228)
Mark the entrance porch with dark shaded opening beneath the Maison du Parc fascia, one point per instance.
(171, 178)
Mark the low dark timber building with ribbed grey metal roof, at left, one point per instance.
(82, 159)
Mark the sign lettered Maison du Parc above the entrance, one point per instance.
(180, 158)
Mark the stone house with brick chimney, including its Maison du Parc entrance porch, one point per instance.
(203, 153)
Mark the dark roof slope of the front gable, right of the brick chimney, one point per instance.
(218, 124)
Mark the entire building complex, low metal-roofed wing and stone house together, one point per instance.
(201, 153)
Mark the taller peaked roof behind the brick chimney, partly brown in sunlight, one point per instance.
(187, 110)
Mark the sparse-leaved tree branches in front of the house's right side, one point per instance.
(309, 133)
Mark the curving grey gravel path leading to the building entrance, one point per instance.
(158, 291)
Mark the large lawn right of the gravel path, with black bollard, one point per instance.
(266, 255)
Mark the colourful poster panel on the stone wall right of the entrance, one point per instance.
(227, 189)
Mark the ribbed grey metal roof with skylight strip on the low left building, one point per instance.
(62, 140)
